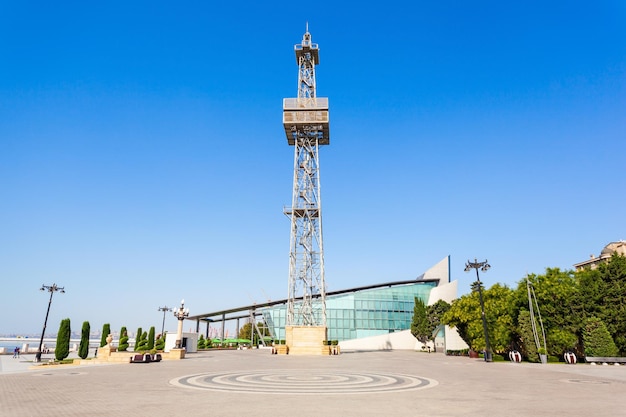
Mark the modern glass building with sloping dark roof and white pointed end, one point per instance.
(355, 314)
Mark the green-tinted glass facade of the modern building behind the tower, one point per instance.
(362, 313)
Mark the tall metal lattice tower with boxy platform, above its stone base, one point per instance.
(306, 125)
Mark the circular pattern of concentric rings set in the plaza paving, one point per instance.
(303, 381)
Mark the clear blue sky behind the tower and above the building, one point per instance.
(143, 159)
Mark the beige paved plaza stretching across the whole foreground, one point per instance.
(256, 383)
